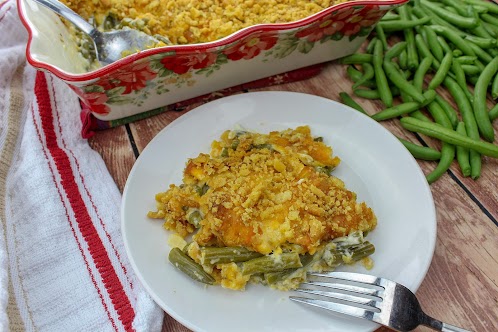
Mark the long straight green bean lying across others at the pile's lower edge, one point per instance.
(435, 130)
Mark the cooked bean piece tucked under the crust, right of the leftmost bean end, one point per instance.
(223, 255)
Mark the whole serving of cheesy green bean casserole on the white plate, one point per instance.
(264, 208)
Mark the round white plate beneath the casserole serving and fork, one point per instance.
(374, 164)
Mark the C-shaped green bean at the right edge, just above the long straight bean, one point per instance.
(480, 108)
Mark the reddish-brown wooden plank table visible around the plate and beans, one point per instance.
(461, 286)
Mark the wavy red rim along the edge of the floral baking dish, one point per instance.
(191, 47)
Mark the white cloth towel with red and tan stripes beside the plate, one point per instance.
(63, 266)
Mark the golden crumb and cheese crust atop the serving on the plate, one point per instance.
(265, 192)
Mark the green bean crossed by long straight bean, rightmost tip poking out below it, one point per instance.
(470, 122)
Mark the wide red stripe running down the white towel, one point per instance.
(96, 248)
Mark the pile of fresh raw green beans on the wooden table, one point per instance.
(416, 51)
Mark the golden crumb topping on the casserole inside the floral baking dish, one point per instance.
(190, 21)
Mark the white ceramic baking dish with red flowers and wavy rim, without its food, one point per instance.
(160, 76)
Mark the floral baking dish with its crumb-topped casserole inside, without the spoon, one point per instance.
(204, 46)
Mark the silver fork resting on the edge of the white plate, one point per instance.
(369, 297)
